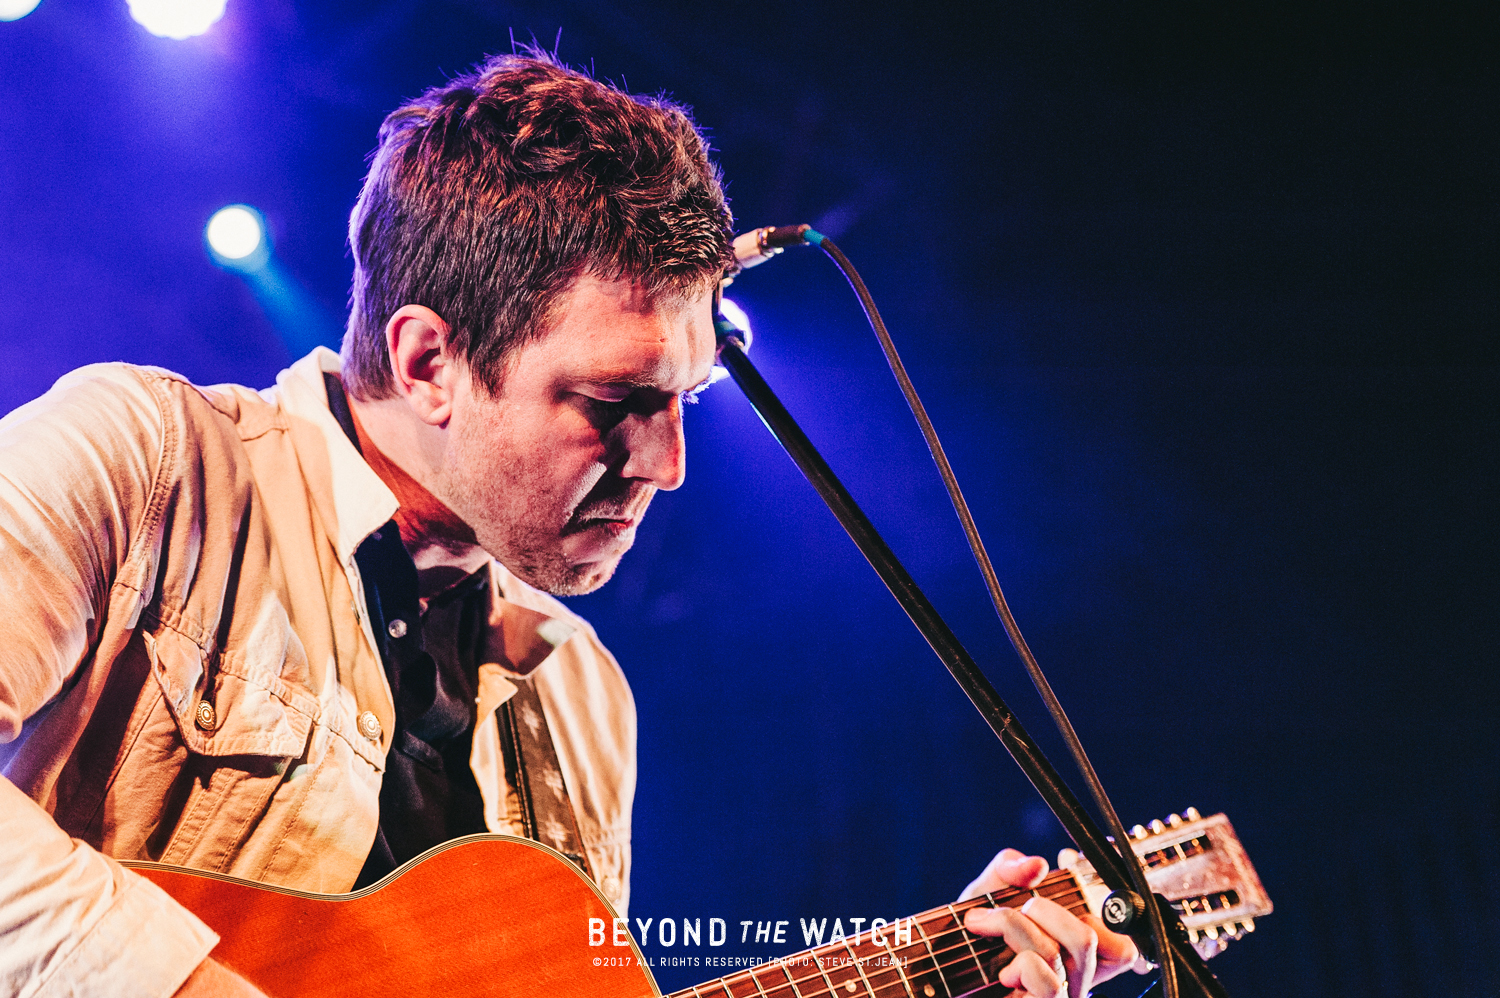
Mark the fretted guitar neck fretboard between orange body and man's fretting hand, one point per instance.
(926, 957)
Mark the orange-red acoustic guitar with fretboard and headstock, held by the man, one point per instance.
(500, 916)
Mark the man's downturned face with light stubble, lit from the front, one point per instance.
(557, 470)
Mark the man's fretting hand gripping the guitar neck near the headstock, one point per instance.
(1057, 952)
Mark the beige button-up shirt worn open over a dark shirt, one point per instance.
(164, 549)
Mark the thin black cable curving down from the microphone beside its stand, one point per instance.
(1133, 867)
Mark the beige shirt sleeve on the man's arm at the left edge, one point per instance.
(77, 472)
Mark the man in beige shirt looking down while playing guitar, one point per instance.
(304, 636)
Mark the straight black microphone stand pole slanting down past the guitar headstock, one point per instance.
(1091, 841)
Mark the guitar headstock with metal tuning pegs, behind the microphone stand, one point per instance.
(1201, 867)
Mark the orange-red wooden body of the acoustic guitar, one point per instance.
(484, 916)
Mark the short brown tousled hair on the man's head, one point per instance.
(491, 196)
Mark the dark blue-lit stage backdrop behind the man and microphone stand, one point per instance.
(1202, 299)
